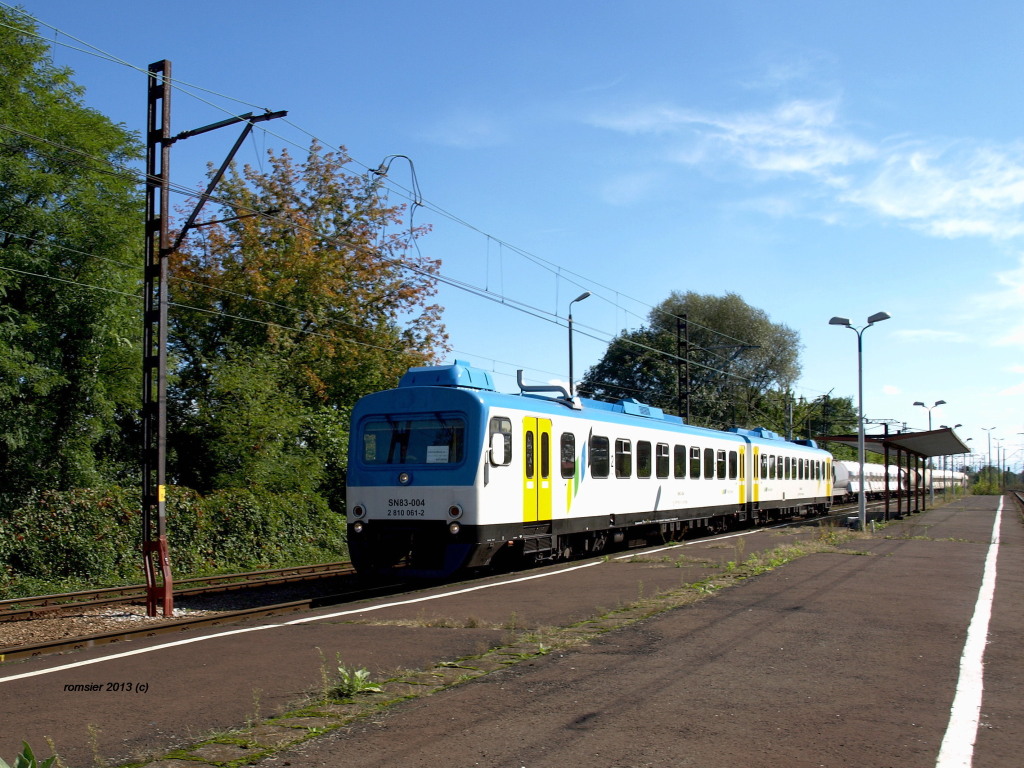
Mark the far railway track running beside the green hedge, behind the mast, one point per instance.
(35, 608)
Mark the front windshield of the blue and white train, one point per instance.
(415, 440)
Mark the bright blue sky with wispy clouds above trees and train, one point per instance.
(818, 159)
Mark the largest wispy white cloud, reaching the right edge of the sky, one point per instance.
(948, 190)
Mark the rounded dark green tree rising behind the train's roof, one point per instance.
(738, 358)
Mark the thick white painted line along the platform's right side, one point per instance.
(958, 745)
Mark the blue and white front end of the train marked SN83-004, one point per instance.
(415, 456)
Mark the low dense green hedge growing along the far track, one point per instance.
(93, 537)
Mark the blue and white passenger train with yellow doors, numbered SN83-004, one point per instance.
(446, 474)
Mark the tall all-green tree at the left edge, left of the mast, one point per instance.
(70, 239)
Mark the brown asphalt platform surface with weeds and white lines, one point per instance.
(850, 658)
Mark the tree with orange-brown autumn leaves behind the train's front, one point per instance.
(284, 319)
